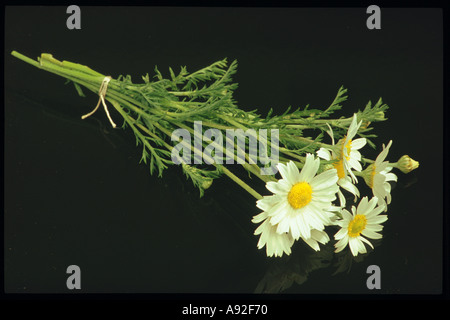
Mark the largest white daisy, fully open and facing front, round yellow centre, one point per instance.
(301, 200)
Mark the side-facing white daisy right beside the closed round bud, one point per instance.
(377, 177)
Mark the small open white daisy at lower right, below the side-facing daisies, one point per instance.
(364, 222)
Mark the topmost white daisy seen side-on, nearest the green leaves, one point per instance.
(346, 159)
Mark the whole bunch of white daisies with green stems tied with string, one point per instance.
(192, 120)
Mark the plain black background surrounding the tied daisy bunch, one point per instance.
(75, 192)
